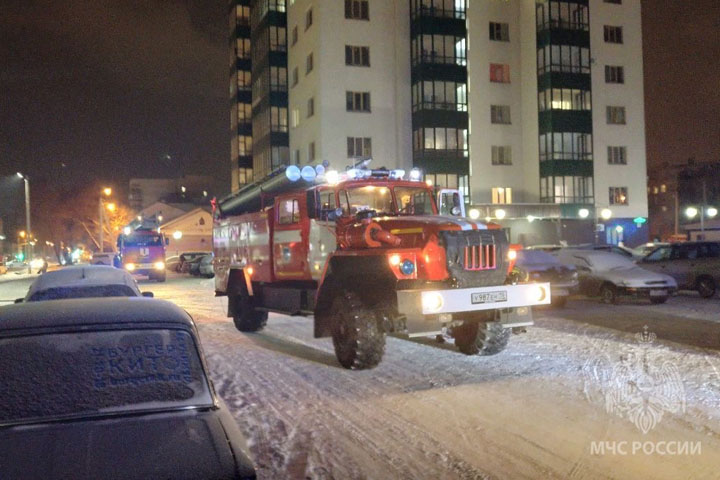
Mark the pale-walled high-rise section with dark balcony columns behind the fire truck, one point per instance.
(533, 108)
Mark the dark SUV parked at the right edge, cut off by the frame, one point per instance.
(693, 265)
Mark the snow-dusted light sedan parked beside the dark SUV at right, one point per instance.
(611, 276)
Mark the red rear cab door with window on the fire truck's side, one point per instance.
(290, 237)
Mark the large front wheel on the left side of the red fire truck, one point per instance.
(358, 339)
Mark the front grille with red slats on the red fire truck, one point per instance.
(476, 258)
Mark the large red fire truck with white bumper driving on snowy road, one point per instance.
(367, 254)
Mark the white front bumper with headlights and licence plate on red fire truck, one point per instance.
(427, 312)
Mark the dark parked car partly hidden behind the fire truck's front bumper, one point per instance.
(539, 266)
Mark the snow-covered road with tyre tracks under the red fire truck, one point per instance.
(558, 403)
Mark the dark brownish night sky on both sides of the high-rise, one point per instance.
(103, 90)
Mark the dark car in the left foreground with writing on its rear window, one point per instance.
(111, 388)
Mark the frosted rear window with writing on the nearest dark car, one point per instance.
(56, 376)
